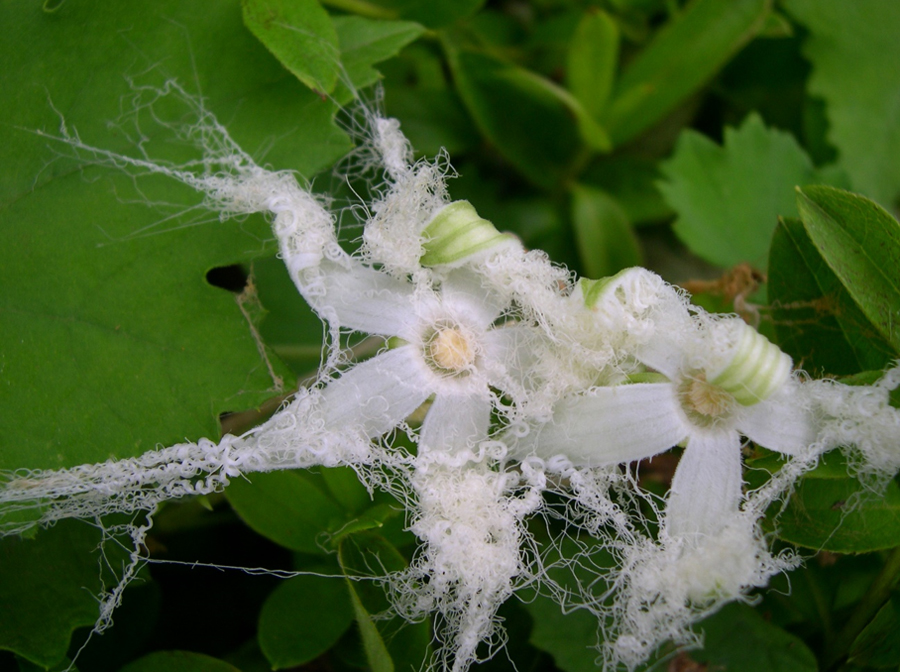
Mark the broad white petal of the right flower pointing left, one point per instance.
(609, 425)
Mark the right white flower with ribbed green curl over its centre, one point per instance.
(719, 379)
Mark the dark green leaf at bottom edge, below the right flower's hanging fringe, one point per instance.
(738, 639)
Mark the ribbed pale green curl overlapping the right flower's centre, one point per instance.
(756, 370)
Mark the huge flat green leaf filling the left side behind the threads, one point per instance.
(113, 341)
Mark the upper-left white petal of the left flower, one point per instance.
(363, 299)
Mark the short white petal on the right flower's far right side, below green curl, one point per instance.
(784, 422)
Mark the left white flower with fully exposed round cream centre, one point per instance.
(450, 348)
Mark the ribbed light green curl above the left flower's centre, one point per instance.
(457, 232)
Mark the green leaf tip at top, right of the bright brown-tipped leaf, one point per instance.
(364, 42)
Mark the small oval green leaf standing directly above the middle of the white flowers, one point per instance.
(606, 242)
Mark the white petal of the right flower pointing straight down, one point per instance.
(706, 489)
